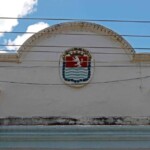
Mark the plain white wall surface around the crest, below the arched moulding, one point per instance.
(124, 98)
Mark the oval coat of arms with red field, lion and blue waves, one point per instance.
(76, 66)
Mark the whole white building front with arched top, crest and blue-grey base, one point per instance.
(75, 73)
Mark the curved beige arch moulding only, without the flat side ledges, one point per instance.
(75, 26)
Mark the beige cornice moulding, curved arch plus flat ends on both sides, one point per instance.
(75, 27)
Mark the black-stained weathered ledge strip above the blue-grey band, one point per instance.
(51, 121)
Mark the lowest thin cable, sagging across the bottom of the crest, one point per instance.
(43, 84)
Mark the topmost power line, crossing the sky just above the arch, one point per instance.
(77, 19)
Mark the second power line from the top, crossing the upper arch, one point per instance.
(125, 35)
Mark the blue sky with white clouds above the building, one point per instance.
(74, 9)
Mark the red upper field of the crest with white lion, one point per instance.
(76, 61)
